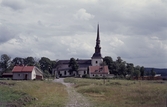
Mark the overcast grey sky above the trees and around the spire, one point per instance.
(135, 30)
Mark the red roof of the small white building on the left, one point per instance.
(23, 69)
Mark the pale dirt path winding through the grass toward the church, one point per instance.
(75, 99)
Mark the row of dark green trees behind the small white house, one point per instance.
(44, 63)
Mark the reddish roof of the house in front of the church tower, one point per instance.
(98, 70)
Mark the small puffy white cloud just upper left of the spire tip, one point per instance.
(83, 15)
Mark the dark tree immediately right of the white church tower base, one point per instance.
(109, 62)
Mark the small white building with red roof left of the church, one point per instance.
(27, 73)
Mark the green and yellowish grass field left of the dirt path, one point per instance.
(32, 93)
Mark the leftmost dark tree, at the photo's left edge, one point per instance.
(5, 62)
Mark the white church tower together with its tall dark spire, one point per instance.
(97, 57)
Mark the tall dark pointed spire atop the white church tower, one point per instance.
(97, 53)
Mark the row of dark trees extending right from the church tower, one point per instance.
(122, 69)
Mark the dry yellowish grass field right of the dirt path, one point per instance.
(122, 93)
